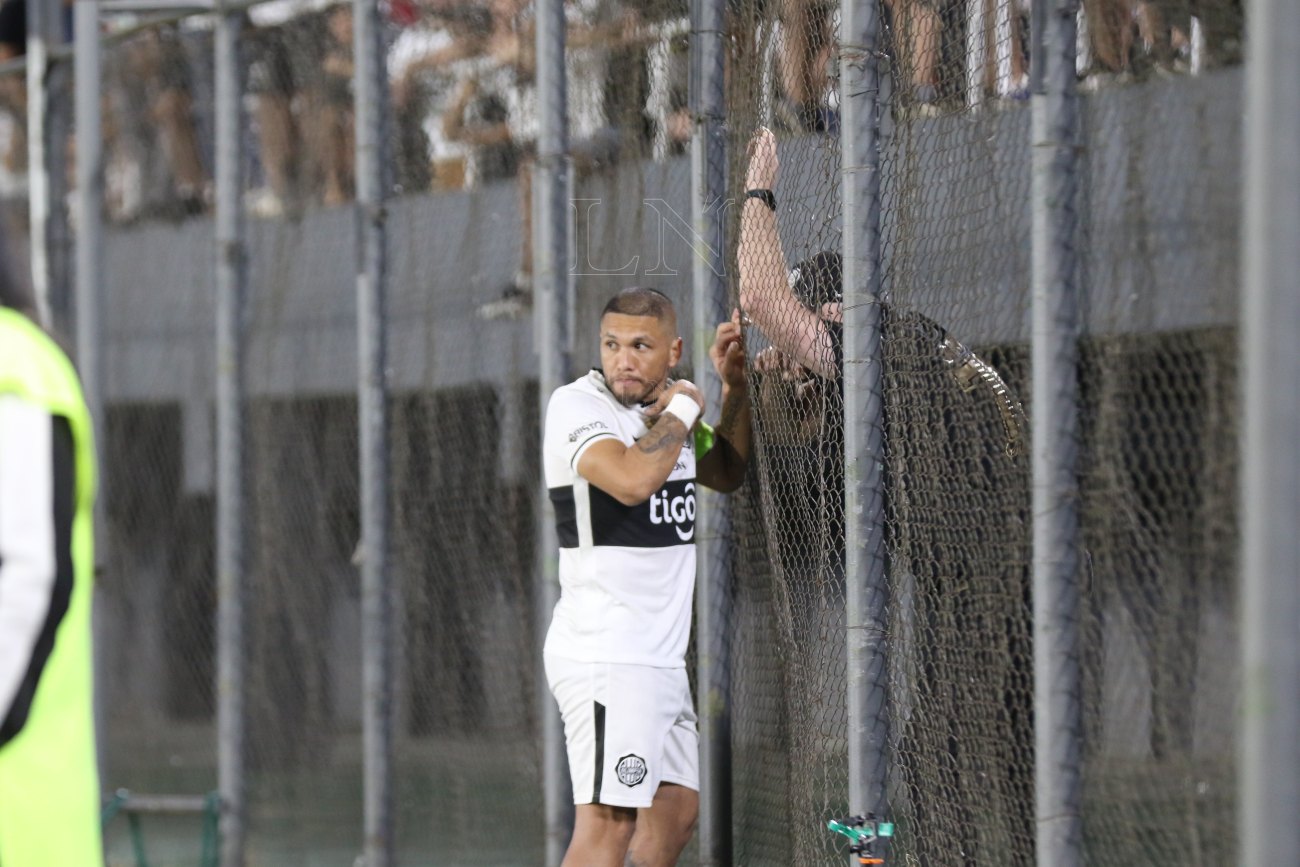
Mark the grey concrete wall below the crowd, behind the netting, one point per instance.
(1160, 237)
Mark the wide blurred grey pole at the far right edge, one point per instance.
(1269, 774)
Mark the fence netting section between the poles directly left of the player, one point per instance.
(463, 415)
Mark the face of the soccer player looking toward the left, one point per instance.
(636, 356)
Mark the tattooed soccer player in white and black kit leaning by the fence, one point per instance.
(623, 452)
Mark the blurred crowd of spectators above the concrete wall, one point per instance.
(462, 77)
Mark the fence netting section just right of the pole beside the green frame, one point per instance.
(304, 608)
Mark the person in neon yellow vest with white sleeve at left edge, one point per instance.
(49, 781)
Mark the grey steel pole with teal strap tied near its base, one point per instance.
(864, 408)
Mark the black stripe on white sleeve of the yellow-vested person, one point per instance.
(66, 508)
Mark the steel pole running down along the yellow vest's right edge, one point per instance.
(88, 66)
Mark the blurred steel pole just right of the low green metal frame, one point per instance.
(232, 279)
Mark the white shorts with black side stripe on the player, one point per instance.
(629, 730)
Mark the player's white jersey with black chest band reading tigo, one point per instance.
(627, 573)
